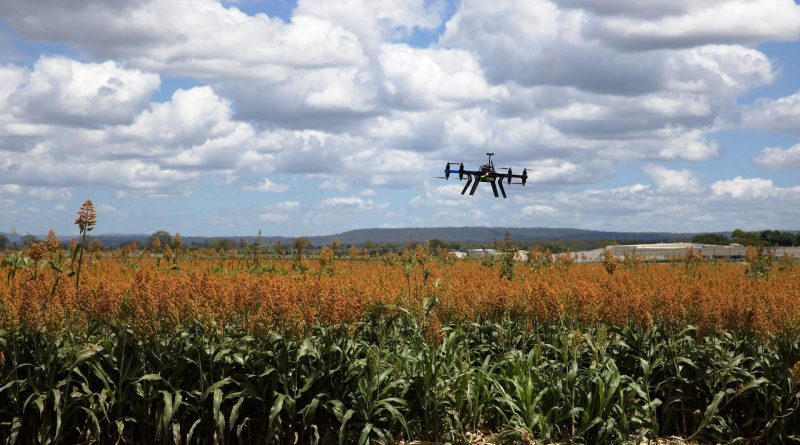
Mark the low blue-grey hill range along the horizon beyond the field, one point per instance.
(399, 236)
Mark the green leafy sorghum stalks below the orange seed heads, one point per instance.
(387, 378)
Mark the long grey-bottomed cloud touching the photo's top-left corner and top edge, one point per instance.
(196, 38)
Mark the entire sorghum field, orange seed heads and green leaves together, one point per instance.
(165, 344)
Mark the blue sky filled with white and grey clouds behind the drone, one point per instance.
(314, 117)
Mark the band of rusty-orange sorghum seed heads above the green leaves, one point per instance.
(713, 296)
